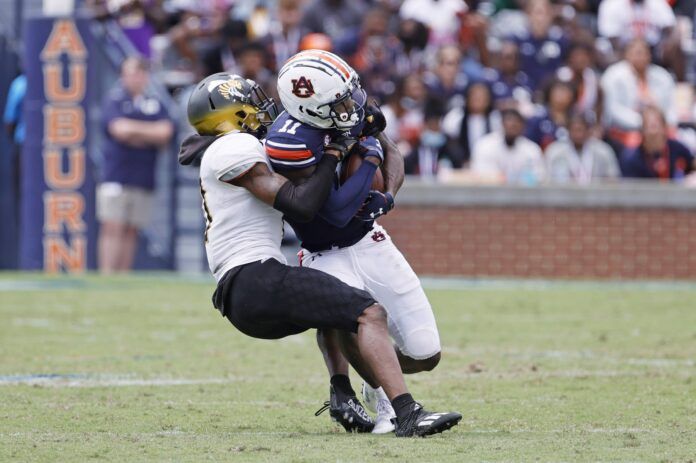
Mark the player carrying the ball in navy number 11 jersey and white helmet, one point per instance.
(352, 247)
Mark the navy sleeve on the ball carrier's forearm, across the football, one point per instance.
(343, 202)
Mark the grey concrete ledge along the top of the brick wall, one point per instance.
(626, 195)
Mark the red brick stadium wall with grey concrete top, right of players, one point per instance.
(622, 231)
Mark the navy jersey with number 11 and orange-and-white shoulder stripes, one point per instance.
(293, 145)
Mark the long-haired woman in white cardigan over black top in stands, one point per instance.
(466, 126)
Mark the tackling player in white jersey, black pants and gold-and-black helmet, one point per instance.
(243, 203)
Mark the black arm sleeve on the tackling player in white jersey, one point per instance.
(302, 202)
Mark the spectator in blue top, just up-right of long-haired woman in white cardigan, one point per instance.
(508, 81)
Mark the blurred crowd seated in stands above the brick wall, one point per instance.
(501, 91)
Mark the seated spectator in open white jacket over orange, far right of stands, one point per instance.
(630, 85)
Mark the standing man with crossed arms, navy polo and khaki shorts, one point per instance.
(136, 126)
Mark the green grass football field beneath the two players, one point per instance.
(143, 369)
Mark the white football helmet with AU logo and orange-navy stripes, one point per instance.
(320, 89)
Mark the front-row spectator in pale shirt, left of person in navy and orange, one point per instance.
(581, 158)
